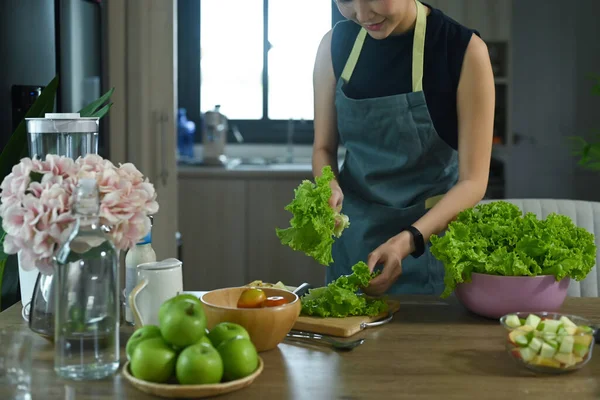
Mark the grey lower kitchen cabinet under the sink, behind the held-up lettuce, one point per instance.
(227, 226)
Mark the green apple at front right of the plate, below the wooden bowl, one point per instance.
(239, 356)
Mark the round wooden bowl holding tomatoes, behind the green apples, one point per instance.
(267, 326)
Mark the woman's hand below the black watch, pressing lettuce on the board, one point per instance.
(390, 254)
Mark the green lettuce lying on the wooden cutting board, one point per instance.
(339, 299)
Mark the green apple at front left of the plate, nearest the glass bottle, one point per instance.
(153, 360)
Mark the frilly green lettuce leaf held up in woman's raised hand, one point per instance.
(313, 225)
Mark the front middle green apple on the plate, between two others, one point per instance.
(199, 364)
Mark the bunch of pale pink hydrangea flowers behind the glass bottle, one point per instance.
(36, 202)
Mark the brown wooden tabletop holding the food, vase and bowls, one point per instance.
(433, 349)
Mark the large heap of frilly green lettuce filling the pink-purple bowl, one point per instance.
(497, 239)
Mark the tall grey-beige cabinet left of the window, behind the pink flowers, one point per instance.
(141, 46)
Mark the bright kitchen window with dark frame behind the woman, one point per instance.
(256, 62)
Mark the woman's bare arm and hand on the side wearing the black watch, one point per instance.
(476, 101)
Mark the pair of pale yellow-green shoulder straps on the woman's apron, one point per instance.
(418, 50)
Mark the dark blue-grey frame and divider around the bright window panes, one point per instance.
(261, 131)
